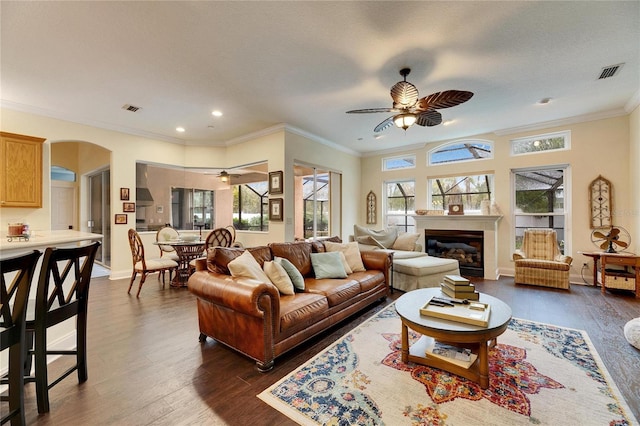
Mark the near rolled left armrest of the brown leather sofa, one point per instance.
(247, 296)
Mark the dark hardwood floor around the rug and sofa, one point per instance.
(146, 366)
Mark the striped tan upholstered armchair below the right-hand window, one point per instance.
(539, 262)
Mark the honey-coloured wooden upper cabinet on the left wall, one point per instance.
(20, 170)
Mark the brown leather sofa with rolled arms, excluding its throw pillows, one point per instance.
(253, 318)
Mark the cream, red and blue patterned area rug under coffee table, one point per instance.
(539, 374)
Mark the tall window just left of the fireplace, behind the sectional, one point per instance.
(400, 204)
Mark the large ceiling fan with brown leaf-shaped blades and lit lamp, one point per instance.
(412, 110)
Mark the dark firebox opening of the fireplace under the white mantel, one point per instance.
(466, 246)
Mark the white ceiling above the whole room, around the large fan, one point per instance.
(306, 63)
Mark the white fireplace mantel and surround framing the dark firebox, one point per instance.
(488, 224)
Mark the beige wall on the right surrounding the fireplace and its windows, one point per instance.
(597, 147)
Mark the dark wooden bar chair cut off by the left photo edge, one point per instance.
(17, 273)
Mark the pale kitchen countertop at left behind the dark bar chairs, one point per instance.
(43, 239)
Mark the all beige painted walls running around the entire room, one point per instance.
(610, 147)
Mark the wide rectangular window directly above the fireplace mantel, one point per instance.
(469, 191)
